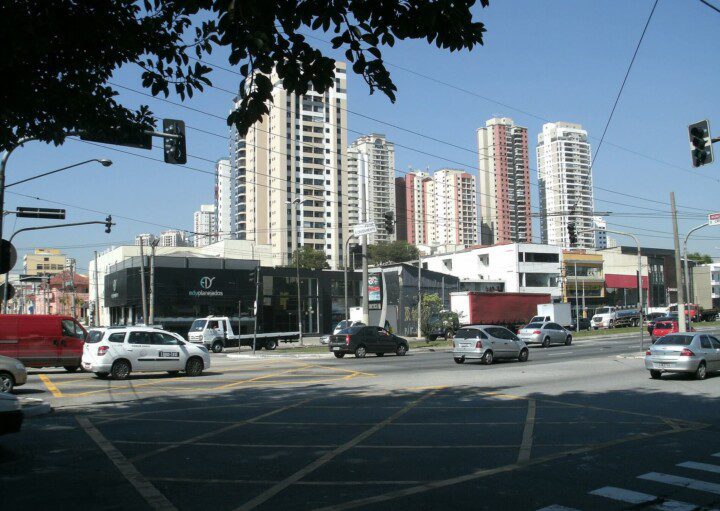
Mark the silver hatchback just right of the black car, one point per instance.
(486, 343)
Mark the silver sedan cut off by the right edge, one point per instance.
(695, 353)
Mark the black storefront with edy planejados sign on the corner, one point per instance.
(187, 288)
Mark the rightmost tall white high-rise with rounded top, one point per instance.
(565, 183)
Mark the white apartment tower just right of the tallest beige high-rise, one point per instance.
(372, 159)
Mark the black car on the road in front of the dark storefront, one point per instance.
(361, 340)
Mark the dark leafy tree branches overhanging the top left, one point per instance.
(60, 56)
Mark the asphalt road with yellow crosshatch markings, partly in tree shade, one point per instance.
(578, 427)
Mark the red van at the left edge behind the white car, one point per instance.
(42, 340)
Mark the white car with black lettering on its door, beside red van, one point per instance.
(119, 351)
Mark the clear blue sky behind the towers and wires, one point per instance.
(556, 60)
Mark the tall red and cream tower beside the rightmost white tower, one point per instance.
(504, 181)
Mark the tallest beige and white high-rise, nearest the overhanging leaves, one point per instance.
(296, 152)
